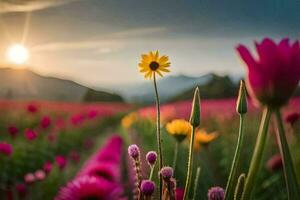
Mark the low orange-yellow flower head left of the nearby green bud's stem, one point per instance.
(179, 128)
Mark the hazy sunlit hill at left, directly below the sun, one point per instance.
(25, 84)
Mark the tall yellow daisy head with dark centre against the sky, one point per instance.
(152, 63)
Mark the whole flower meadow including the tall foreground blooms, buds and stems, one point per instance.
(215, 149)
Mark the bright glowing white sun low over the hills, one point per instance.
(17, 54)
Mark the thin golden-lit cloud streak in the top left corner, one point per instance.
(29, 5)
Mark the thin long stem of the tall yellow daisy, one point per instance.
(160, 157)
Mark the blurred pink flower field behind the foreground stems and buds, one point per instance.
(46, 146)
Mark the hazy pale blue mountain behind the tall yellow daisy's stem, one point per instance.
(168, 87)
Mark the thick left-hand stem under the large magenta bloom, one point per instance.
(257, 155)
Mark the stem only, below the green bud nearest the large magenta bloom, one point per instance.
(233, 176)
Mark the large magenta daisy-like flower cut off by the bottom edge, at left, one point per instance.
(88, 187)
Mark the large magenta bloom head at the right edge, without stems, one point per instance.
(274, 75)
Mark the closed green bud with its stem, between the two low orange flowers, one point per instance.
(195, 122)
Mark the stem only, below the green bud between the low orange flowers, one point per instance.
(190, 166)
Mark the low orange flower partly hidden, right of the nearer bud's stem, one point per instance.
(204, 138)
